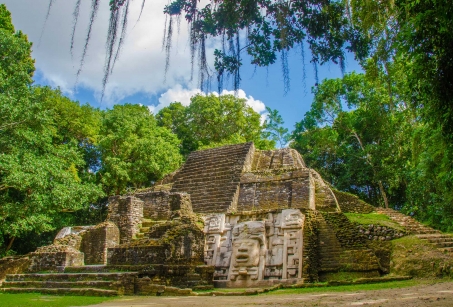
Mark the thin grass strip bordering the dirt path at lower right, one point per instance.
(361, 287)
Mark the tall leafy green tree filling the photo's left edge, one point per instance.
(39, 175)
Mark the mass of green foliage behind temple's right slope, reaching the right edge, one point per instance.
(364, 136)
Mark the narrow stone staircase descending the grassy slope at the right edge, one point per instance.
(444, 242)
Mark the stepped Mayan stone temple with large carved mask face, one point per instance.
(232, 216)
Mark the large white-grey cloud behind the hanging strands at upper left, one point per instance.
(141, 66)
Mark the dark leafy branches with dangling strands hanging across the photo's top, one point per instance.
(263, 28)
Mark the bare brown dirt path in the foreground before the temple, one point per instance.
(432, 295)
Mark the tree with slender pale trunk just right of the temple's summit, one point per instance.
(362, 150)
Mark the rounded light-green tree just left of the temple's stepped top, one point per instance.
(135, 151)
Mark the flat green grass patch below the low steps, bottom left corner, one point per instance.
(39, 300)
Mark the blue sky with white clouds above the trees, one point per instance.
(139, 74)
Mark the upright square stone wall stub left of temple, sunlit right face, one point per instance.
(126, 213)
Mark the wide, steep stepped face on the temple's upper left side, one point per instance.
(212, 176)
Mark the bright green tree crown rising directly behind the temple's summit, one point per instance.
(212, 121)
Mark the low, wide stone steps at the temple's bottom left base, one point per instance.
(92, 284)
